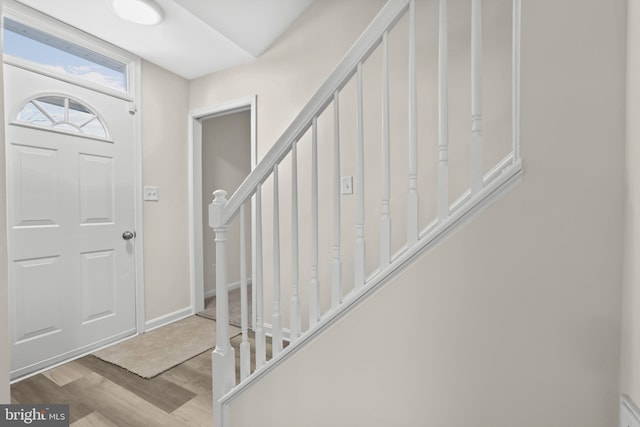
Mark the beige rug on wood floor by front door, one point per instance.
(152, 353)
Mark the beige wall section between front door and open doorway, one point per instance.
(165, 164)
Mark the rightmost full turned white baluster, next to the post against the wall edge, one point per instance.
(477, 173)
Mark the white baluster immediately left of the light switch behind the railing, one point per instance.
(336, 265)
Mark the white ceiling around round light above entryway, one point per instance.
(196, 37)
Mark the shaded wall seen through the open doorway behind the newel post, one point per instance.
(226, 162)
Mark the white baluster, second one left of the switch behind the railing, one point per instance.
(314, 291)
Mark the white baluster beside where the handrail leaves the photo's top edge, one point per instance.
(412, 198)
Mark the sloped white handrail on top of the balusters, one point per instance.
(359, 52)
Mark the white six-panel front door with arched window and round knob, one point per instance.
(70, 199)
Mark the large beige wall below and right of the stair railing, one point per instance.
(514, 320)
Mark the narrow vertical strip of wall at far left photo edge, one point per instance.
(4, 286)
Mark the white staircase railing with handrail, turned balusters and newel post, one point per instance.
(408, 206)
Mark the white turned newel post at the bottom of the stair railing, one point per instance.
(223, 357)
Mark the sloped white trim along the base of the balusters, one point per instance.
(487, 196)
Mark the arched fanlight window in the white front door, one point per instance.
(64, 114)
